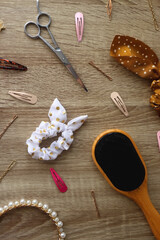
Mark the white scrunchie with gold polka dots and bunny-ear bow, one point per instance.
(58, 116)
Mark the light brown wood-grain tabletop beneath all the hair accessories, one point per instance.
(48, 79)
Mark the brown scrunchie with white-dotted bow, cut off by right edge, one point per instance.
(140, 59)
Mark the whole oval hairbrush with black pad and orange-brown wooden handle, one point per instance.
(119, 160)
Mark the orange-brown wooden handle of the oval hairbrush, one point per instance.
(153, 217)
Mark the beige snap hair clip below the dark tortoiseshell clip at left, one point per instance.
(25, 97)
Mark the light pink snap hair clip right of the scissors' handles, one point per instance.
(79, 20)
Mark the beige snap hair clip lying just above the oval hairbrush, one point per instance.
(116, 98)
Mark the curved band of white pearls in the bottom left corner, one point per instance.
(39, 205)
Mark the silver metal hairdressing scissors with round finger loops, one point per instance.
(56, 49)
